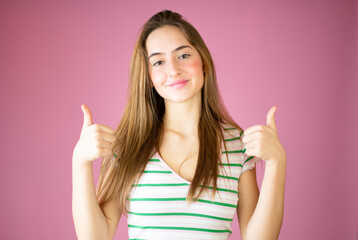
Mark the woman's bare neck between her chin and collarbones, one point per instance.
(184, 117)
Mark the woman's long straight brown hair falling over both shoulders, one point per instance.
(139, 131)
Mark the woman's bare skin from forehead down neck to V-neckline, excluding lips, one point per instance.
(172, 58)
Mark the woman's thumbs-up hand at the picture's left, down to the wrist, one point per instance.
(96, 140)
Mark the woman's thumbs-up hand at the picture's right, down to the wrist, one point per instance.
(262, 141)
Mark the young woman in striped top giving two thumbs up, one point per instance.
(178, 166)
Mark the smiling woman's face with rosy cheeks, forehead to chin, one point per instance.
(175, 66)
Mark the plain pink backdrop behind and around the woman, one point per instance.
(298, 55)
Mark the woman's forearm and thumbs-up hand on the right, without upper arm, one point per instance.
(262, 142)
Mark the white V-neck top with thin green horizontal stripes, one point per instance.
(157, 206)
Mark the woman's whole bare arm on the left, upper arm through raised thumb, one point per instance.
(90, 223)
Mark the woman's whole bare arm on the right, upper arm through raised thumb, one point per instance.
(266, 219)
